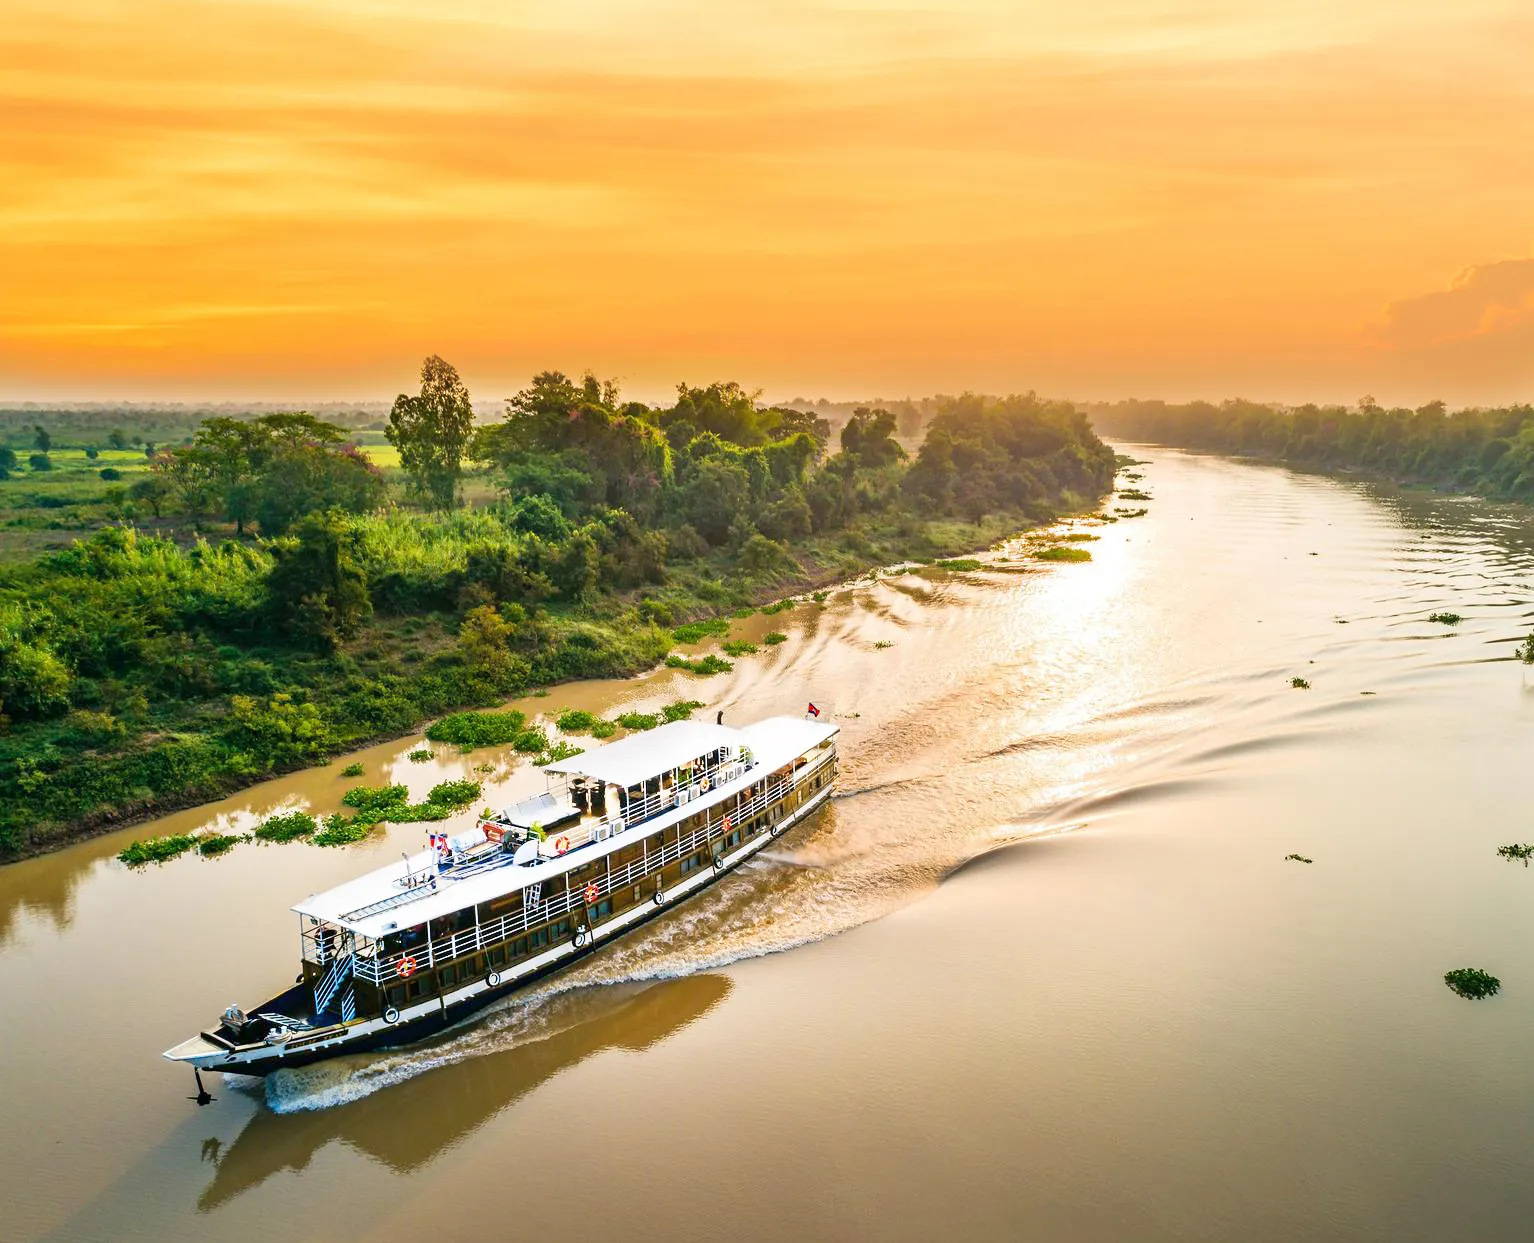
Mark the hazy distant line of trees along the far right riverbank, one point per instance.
(1476, 450)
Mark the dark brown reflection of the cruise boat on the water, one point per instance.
(461, 1096)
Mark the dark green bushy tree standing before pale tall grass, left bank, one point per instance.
(318, 592)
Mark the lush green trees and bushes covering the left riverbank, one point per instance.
(320, 610)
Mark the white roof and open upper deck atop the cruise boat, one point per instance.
(674, 759)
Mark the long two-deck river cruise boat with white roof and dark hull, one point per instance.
(622, 834)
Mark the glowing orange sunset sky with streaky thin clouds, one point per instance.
(1272, 199)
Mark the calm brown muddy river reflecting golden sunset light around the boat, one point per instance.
(1039, 972)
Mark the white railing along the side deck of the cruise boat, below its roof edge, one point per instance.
(384, 969)
